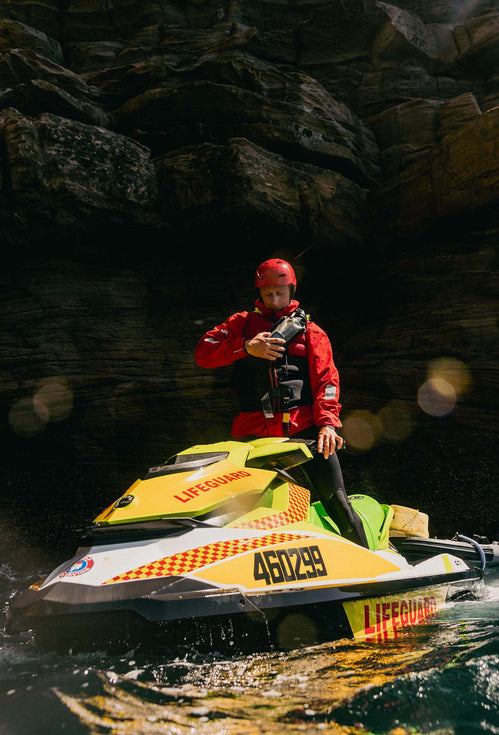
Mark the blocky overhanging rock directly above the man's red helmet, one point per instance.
(248, 187)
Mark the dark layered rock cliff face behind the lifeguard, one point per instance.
(152, 153)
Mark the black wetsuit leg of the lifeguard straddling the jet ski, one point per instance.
(327, 479)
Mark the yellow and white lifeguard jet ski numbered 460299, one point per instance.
(223, 543)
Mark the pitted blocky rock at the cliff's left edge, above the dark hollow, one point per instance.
(74, 168)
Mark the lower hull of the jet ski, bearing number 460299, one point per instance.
(197, 608)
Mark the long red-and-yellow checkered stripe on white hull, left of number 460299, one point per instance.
(194, 559)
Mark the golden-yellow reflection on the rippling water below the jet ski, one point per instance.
(317, 689)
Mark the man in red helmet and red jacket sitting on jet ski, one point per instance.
(286, 381)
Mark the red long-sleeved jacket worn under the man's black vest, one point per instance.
(224, 345)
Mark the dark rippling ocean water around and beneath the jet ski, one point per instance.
(441, 678)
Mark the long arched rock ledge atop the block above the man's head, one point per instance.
(312, 127)
